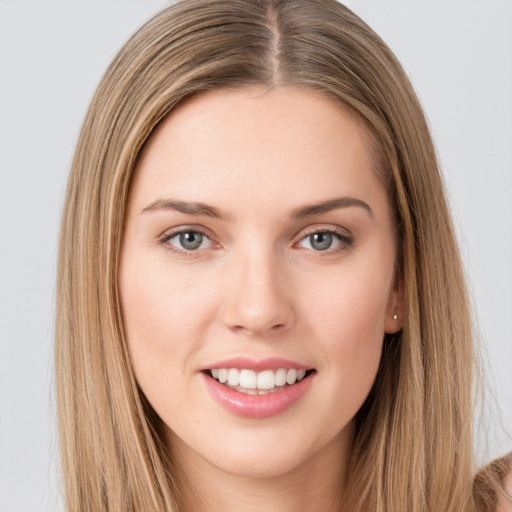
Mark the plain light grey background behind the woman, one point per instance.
(53, 53)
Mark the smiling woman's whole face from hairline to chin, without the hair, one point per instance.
(259, 248)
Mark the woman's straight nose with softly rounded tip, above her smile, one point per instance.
(258, 295)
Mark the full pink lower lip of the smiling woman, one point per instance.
(257, 406)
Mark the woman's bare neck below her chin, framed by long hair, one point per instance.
(317, 485)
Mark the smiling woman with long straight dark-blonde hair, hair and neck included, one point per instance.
(260, 297)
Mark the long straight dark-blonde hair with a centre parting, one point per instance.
(413, 448)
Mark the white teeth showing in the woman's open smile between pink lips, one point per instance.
(251, 382)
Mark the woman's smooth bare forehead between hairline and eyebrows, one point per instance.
(284, 145)
